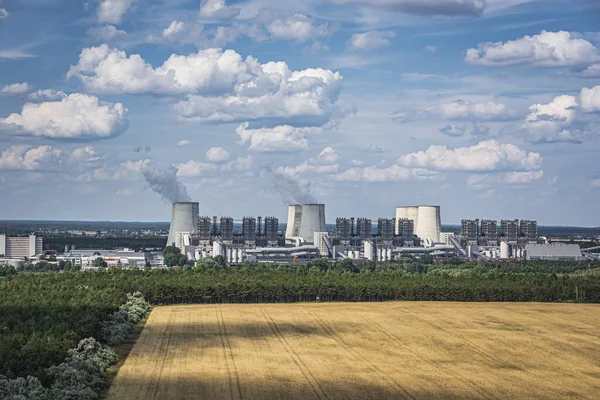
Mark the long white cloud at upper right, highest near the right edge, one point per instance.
(547, 49)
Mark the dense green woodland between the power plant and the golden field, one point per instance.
(43, 315)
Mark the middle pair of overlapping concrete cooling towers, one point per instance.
(304, 220)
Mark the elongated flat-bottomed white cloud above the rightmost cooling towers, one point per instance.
(489, 155)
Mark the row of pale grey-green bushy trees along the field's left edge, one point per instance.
(82, 374)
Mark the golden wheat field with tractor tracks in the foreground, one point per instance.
(395, 350)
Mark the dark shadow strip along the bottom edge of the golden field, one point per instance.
(206, 388)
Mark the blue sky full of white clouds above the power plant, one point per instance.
(109, 109)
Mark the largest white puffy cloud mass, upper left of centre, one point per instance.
(222, 85)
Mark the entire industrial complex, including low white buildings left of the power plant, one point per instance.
(413, 231)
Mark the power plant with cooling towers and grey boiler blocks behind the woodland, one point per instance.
(415, 230)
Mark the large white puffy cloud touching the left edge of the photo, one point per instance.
(75, 116)
